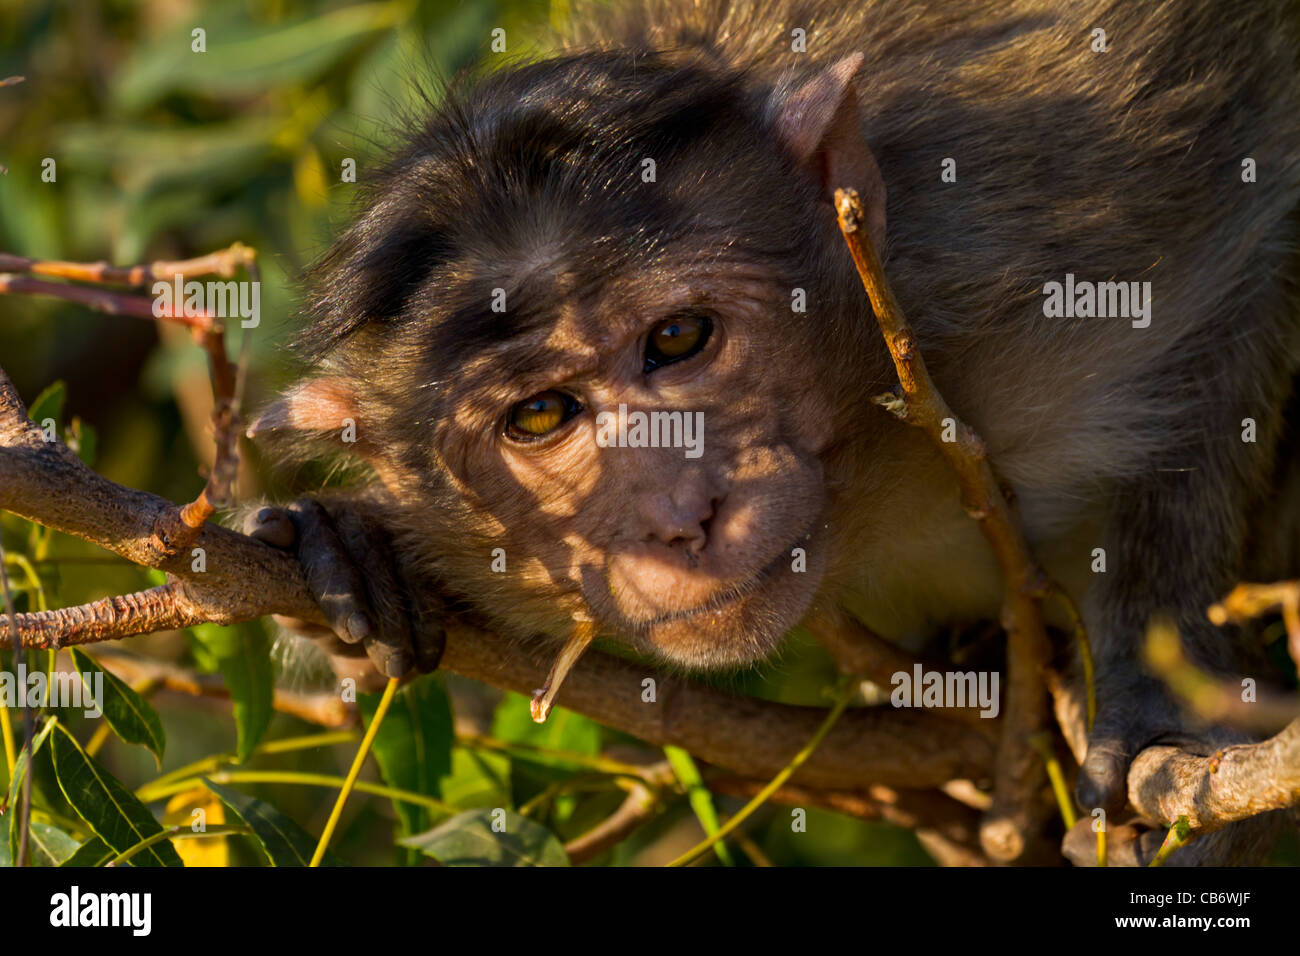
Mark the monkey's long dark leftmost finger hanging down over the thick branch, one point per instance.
(331, 573)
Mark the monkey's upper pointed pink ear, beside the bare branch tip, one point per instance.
(820, 128)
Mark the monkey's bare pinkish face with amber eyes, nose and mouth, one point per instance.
(644, 466)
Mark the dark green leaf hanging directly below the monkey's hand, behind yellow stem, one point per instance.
(414, 745)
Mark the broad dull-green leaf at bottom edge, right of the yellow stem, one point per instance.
(470, 840)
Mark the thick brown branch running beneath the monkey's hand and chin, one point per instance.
(246, 579)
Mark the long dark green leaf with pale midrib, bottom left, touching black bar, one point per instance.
(111, 811)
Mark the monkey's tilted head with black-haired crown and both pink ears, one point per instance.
(601, 343)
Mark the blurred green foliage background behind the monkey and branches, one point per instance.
(164, 154)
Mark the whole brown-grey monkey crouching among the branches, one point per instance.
(642, 226)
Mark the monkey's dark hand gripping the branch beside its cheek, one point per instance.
(372, 633)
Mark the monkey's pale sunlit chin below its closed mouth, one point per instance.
(739, 628)
